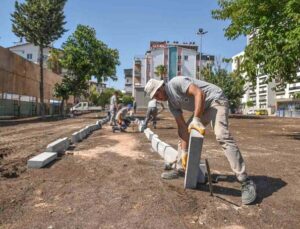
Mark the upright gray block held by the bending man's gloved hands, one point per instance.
(194, 154)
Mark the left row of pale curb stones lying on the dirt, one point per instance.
(62, 144)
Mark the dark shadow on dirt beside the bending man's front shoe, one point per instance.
(265, 186)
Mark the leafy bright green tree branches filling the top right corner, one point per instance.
(274, 27)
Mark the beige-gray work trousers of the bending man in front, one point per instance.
(217, 116)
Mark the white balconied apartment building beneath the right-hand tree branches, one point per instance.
(268, 95)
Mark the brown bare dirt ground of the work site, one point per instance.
(113, 180)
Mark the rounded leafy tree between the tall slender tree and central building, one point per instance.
(84, 56)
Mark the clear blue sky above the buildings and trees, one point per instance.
(130, 25)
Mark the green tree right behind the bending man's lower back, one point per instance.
(231, 83)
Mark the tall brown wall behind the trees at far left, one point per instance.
(19, 81)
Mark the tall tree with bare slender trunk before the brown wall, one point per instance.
(40, 22)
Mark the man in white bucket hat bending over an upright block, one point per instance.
(209, 105)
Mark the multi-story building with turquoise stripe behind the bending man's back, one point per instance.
(178, 58)
